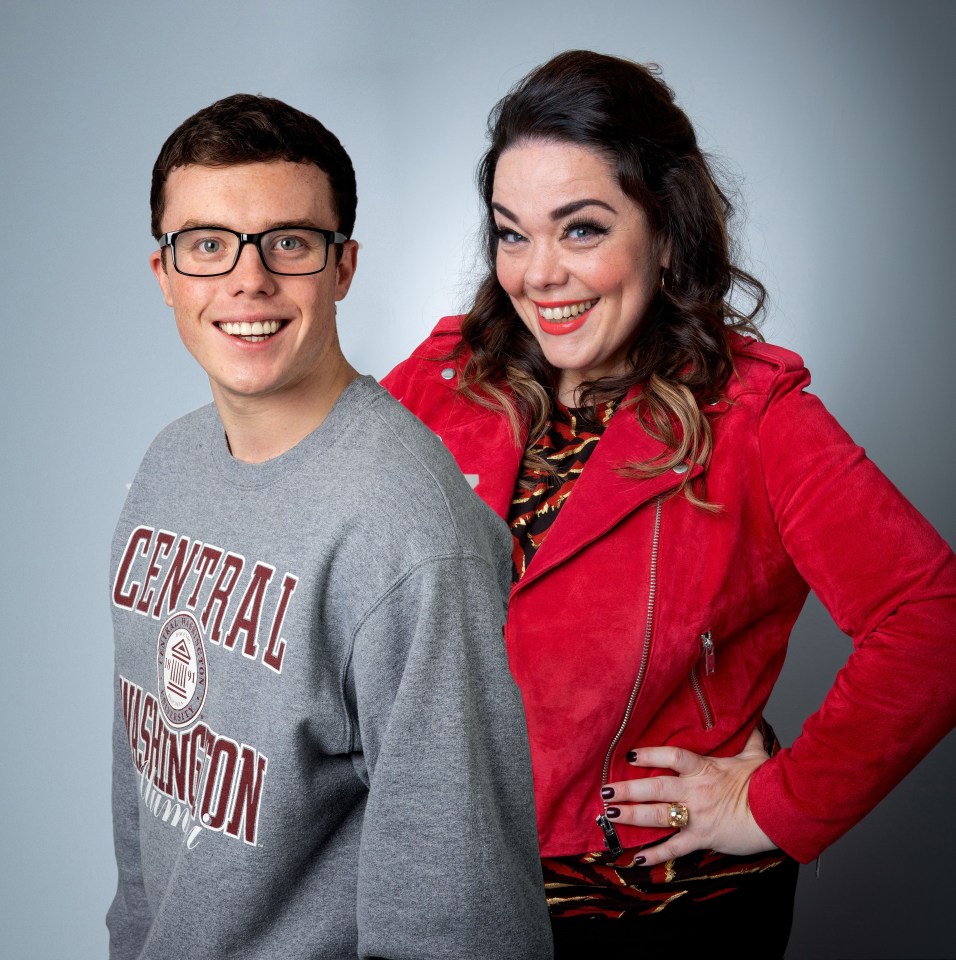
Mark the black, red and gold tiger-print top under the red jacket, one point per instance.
(594, 883)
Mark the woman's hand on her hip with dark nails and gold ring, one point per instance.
(712, 789)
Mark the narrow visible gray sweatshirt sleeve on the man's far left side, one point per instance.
(128, 917)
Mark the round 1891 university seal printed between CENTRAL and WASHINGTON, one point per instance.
(181, 669)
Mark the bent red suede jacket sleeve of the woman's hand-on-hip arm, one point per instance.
(889, 582)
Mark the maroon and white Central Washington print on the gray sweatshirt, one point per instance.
(193, 778)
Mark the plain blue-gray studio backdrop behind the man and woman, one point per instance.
(835, 119)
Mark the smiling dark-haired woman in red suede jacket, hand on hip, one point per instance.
(673, 492)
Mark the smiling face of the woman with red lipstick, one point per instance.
(576, 256)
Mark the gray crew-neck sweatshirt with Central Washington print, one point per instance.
(318, 748)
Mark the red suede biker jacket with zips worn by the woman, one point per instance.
(644, 620)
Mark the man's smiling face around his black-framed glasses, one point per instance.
(302, 355)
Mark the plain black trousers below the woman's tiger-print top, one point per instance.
(753, 921)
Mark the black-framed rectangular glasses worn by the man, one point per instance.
(214, 251)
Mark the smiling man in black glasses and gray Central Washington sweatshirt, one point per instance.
(318, 747)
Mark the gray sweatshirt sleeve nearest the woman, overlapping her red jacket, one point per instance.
(449, 863)
